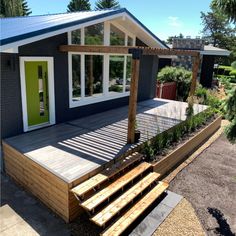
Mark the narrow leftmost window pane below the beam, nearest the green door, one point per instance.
(76, 80)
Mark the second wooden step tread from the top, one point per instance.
(117, 185)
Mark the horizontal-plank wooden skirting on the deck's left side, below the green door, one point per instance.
(47, 187)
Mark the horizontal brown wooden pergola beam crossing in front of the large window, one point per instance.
(94, 49)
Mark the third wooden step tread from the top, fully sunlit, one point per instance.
(116, 206)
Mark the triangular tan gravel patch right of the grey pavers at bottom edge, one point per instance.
(181, 221)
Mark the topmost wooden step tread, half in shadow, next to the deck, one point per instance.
(98, 179)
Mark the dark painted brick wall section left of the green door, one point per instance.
(11, 109)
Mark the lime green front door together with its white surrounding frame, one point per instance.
(36, 96)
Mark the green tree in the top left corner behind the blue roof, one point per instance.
(12, 8)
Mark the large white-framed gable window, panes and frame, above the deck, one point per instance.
(96, 77)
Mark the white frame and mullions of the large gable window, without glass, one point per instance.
(106, 60)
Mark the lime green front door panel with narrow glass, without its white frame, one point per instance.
(36, 80)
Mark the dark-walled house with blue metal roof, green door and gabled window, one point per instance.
(41, 86)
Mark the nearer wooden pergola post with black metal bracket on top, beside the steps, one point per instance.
(136, 54)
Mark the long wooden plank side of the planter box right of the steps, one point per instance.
(181, 153)
